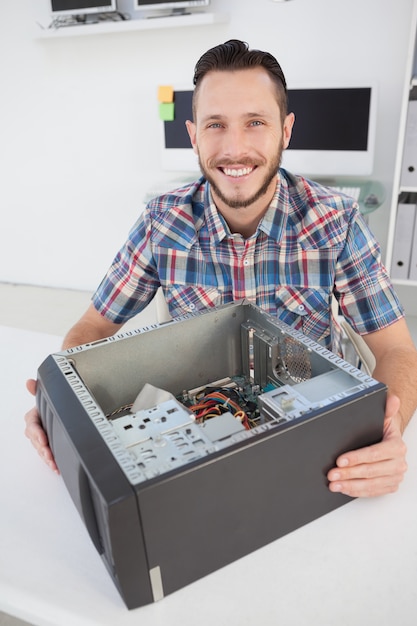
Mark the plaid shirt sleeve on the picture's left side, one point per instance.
(132, 280)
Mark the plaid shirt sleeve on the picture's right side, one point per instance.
(366, 296)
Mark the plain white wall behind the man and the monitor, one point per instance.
(78, 117)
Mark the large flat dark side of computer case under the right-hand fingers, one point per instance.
(216, 512)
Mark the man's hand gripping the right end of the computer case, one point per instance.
(375, 470)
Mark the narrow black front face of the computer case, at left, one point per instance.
(100, 491)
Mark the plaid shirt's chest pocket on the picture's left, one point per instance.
(183, 299)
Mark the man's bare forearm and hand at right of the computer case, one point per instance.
(379, 469)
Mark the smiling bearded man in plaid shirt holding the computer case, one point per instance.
(244, 231)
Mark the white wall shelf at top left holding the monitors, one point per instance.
(125, 26)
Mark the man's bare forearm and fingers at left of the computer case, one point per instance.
(91, 327)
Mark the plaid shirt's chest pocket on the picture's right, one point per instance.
(307, 310)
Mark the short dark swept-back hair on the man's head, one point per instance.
(236, 55)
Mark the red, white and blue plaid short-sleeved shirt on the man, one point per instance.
(310, 244)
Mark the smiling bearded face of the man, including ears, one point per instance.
(238, 135)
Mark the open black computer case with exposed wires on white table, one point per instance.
(187, 445)
